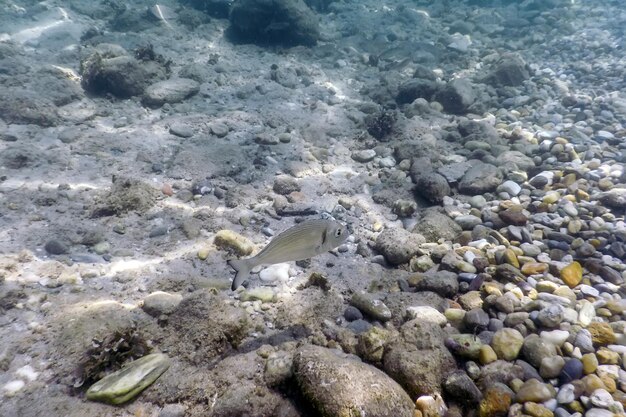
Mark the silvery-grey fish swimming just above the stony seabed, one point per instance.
(302, 241)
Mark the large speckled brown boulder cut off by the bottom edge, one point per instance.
(338, 385)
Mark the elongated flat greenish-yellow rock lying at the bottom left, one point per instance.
(128, 382)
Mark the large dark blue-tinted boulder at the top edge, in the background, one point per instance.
(288, 22)
